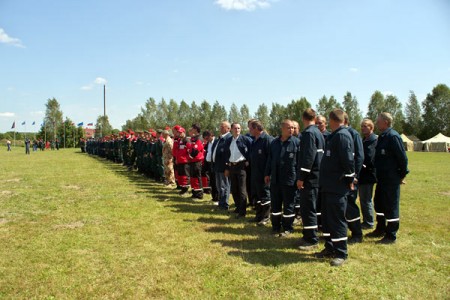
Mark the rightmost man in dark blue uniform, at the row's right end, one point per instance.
(391, 165)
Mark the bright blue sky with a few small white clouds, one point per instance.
(231, 51)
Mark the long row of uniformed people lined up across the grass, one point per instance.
(314, 175)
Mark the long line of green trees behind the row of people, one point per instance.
(423, 121)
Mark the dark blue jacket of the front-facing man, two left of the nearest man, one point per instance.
(281, 164)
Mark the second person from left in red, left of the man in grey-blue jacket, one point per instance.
(196, 155)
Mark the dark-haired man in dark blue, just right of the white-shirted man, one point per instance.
(259, 153)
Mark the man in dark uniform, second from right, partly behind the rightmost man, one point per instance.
(367, 176)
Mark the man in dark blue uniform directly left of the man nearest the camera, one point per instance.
(311, 152)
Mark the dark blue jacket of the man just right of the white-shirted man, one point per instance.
(259, 153)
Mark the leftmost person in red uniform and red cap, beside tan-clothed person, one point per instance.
(182, 159)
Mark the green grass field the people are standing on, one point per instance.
(75, 226)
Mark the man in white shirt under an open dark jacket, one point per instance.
(237, 151)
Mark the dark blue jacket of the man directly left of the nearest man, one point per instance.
(311, 151)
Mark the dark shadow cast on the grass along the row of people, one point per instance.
(263, 249)
